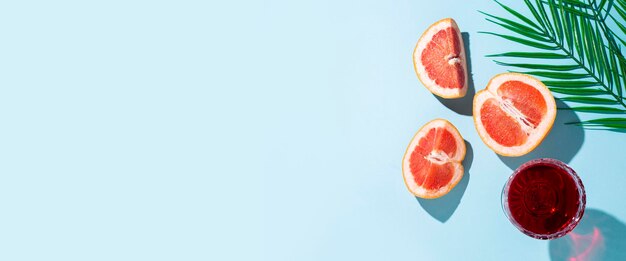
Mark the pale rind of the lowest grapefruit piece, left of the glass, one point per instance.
(459, 155)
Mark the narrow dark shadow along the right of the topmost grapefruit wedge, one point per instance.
(463, 105)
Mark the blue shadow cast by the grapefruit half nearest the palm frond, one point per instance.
(562, 143)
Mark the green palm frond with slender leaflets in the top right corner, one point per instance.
(591, 67)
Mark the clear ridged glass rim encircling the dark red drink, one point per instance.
(581, 195)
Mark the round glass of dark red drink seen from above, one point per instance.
(544, 198)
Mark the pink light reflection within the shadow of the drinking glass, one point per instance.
(586, 247)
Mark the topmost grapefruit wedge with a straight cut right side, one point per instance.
(439, 60)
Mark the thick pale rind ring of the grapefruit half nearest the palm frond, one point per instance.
(537, 135)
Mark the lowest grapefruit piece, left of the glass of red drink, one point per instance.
(432, 163)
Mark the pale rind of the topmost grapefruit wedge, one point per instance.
(420, 70)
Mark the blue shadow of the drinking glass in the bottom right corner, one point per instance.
(598, 236)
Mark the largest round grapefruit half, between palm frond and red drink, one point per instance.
(514, 113)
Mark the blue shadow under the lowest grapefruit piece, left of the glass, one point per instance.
(442, 208)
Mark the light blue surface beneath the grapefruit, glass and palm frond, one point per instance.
(273, 130)
